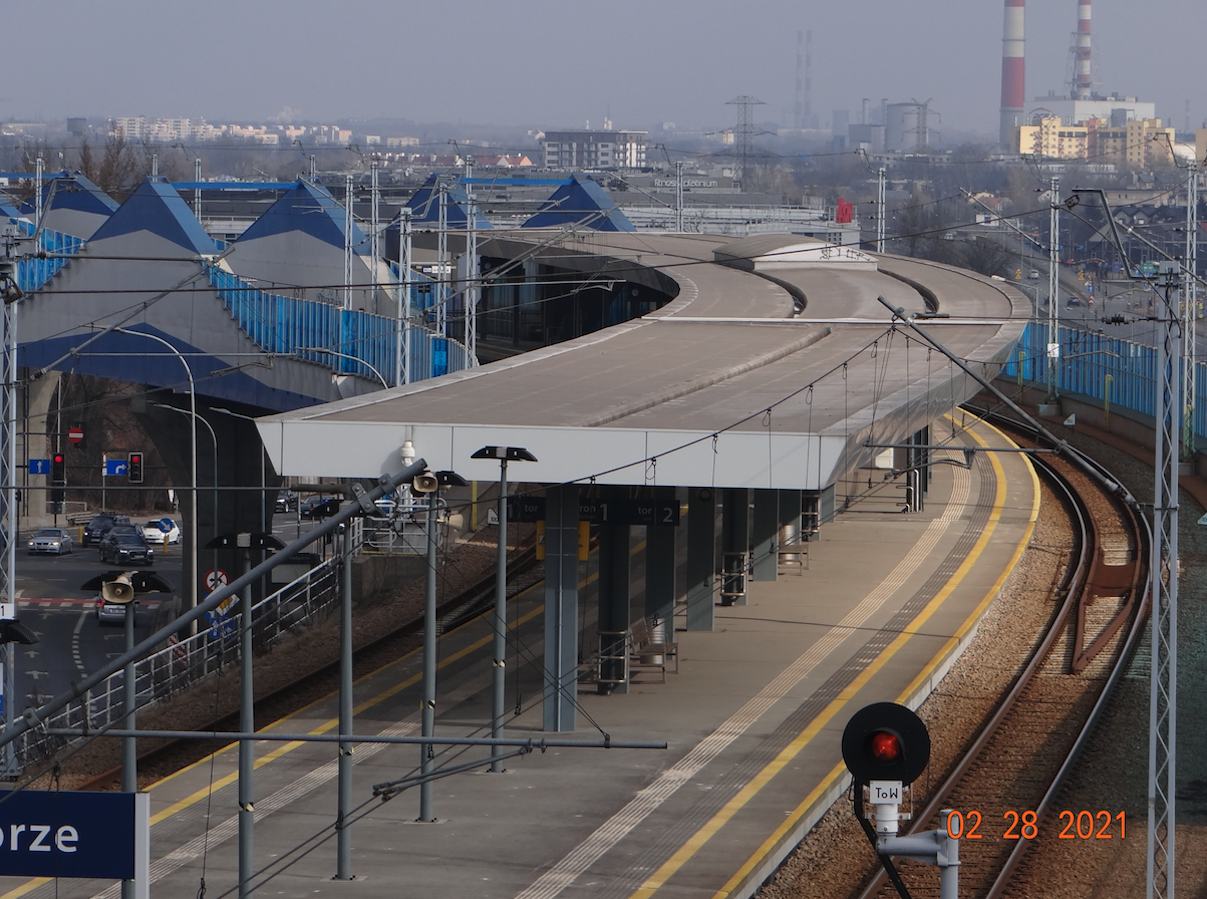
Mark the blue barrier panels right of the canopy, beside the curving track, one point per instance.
(1101, 367)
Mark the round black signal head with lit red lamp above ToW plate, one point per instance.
(887, 743)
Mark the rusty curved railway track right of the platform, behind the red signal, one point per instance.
(1005, 785)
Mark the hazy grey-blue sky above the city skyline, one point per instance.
(553, 65)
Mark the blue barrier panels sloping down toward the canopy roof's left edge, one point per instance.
(317, 332)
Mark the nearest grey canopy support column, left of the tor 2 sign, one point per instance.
(561, 609)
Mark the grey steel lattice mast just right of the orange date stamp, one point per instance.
(1164, 678)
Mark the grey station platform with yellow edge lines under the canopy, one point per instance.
(753, 719)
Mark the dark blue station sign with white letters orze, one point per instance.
(68, 834)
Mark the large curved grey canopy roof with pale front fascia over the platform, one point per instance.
(775, 366)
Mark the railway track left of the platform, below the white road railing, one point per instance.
(162, 761)
